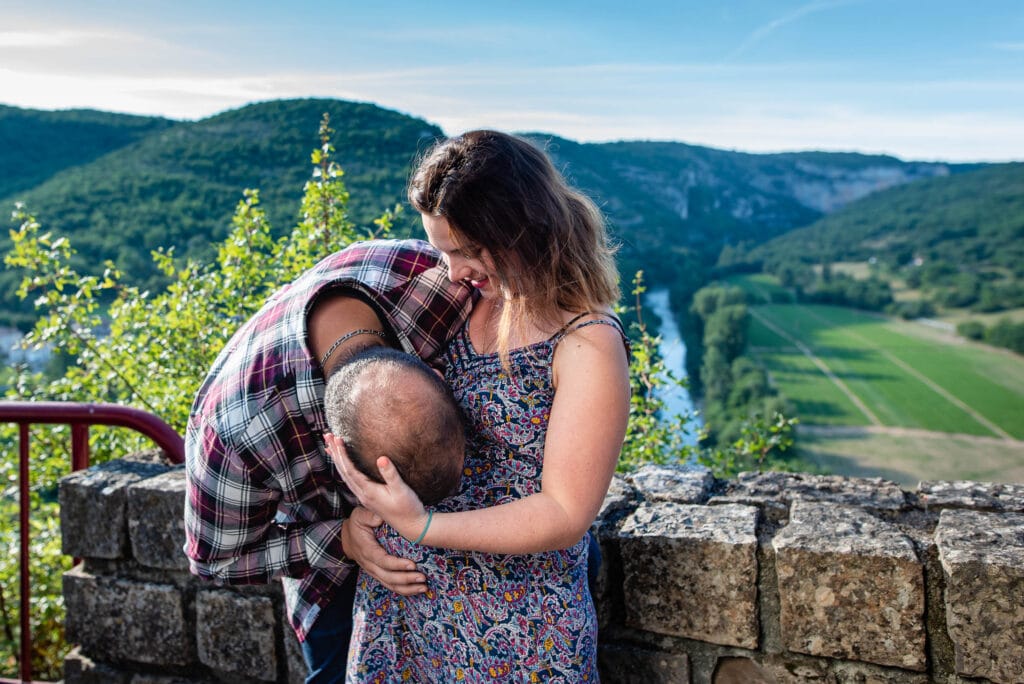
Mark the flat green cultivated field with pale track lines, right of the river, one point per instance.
(890, 398)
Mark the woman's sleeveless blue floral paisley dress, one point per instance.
(486, 618)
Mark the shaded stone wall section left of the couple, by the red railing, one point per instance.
(134, 610)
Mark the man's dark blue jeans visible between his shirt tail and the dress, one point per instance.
(326, 648)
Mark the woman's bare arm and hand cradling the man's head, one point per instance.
(585, 437)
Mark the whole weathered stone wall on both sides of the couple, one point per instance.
(770, 578)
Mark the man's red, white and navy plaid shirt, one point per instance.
(264, 500)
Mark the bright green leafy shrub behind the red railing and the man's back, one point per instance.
(143, 350)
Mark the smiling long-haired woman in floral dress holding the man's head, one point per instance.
(541, 373)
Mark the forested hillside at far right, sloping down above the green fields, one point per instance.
(961, 238)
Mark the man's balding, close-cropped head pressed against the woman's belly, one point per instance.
(387, 403)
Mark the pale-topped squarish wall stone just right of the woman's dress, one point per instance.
(692, 572)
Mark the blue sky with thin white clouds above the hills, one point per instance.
(919, 79)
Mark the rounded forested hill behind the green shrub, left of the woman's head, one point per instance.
(180, 187)
